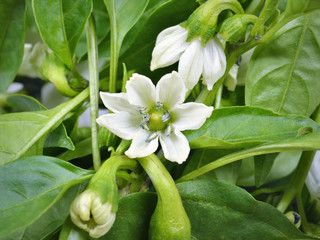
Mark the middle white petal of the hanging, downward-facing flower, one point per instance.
(191, 64)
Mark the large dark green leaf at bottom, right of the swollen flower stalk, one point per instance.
(222, 211)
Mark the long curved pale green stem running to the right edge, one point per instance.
(288, 145)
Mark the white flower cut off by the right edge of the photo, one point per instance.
(313, 178)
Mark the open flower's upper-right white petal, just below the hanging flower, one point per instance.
(171, 90)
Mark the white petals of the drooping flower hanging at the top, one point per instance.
(194, 59)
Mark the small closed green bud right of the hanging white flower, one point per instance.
(234, 29)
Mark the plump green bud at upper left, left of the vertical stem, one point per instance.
(55, 71)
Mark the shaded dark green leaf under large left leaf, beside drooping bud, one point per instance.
(50, 220)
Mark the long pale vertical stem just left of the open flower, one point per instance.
(94, 89)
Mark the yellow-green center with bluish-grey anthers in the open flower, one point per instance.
(156, 119)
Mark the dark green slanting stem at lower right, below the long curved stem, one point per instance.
(297, 181)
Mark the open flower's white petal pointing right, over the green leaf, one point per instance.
(190, 115)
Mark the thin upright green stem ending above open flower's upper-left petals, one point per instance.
(114, 48)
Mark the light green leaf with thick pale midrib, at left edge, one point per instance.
(20, 131)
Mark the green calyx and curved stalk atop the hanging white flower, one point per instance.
(203, 21)
